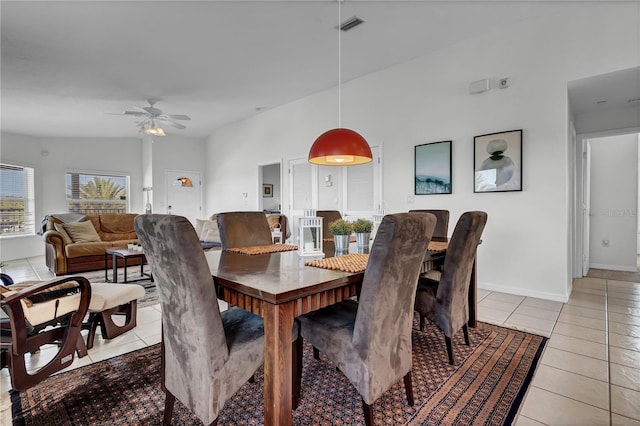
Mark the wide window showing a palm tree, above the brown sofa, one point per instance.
(89, 193)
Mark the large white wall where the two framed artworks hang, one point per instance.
(526, 246)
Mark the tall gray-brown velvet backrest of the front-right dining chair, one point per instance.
(385, 306)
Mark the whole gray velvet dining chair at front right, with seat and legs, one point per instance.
(370, 340)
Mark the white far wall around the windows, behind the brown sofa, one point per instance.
(122, 155)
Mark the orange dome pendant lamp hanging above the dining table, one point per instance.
(340, 146)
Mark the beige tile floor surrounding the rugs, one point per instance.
(589, 373)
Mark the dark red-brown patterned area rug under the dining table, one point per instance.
(486, 387)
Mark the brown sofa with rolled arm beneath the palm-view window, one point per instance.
(63, 256)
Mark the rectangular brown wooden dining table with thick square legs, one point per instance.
(279, 287)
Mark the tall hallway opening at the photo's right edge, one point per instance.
(599, 106)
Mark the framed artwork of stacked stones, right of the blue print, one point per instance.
(498, 162)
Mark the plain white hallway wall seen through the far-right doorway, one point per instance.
(614, 192)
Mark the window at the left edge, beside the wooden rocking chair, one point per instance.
(17, 212)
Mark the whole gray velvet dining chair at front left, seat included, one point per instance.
(206, 355)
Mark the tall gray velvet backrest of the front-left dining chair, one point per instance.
(195, 347)
